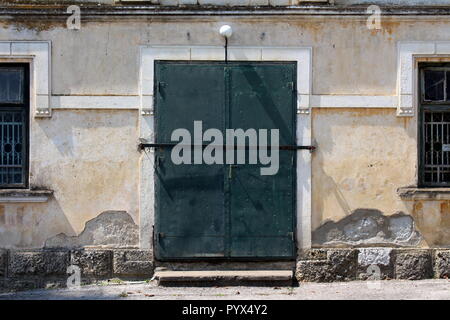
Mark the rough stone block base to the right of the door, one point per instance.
(328, 265)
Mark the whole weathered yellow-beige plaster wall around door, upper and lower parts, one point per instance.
(89, 157)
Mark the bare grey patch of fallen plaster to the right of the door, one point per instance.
(368, 226)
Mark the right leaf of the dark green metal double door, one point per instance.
(261, 213)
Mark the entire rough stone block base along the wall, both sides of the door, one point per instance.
(51, 268)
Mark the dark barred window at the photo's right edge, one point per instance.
(434, 125)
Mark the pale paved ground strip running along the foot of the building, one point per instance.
(425, 289)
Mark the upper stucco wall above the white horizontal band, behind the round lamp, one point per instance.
(348, 58)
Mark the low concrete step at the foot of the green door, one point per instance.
(225, 277)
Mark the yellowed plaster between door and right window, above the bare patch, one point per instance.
(363, 156)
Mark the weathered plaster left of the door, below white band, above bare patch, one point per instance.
(90, 160)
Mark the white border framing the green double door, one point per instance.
(303, 57)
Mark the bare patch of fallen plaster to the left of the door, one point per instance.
(110, 228)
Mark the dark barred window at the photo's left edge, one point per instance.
(14, 107)
